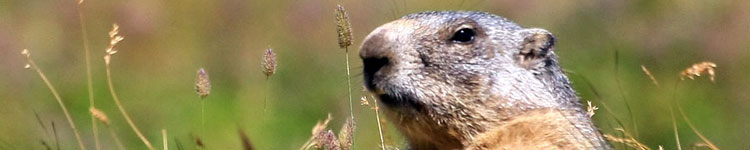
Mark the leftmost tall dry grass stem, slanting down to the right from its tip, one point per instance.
(30, 64)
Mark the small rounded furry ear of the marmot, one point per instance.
(536, 47)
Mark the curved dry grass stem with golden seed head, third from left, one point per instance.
(114, 39)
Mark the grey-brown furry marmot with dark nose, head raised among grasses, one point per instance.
(473, 80)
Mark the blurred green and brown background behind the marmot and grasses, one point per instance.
(603, 43)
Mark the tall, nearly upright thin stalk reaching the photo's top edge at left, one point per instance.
(84, 34)
